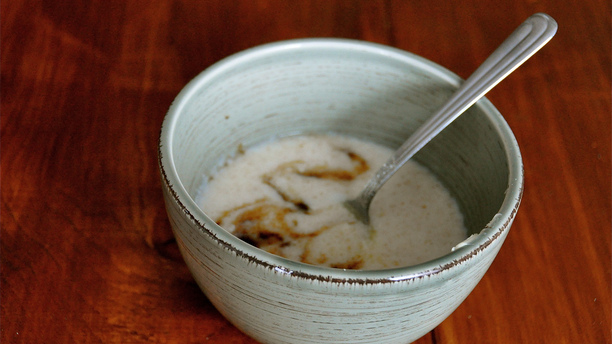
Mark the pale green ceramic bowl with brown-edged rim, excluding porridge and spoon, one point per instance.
(353, 88)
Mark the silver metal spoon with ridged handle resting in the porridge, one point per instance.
(528, 38)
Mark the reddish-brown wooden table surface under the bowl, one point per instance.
(87, 253)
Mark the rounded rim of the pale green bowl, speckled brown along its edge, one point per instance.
(493, 231)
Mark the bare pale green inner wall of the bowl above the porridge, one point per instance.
(360, 90)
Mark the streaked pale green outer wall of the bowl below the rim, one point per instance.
(274, 305)
